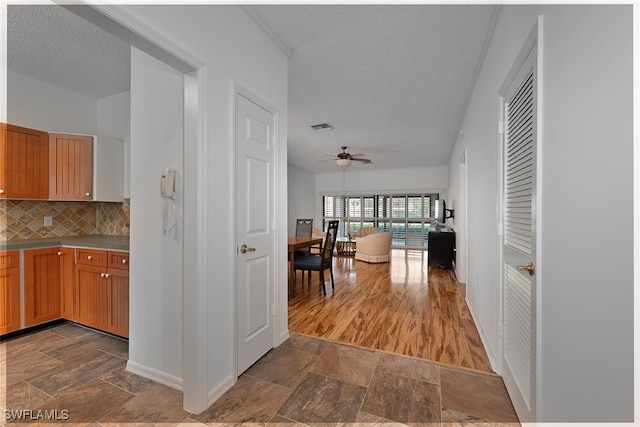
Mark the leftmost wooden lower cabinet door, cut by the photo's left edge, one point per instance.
(9, 292)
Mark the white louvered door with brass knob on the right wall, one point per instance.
(519, 105)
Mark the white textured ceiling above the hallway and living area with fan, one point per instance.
(392, 80)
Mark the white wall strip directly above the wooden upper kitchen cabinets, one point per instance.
(35, 104)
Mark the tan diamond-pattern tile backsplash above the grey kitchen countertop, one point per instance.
(24, 219)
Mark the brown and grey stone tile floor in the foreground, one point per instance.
(304, 381)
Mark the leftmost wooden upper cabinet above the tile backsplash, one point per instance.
(24, 163)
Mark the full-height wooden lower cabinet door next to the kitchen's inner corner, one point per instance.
(41, 285)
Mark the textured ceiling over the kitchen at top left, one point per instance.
(51, 44)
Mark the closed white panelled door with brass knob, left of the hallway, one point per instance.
(255, 235)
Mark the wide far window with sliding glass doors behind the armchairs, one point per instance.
(407, 216)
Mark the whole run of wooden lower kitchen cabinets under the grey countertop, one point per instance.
(88, 286)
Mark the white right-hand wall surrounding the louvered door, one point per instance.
(585, 370)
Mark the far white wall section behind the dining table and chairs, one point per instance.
(301, 194)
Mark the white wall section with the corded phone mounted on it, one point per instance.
(155, 293)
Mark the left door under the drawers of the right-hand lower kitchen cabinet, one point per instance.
(91, 296)
